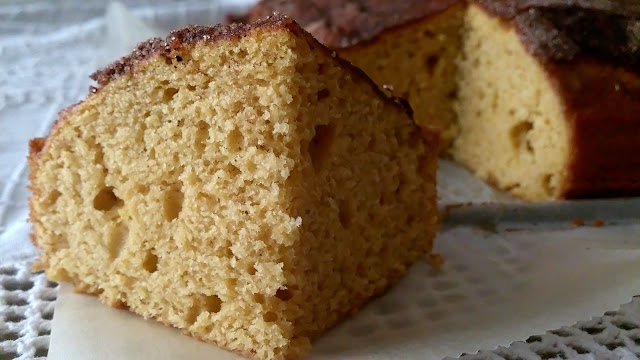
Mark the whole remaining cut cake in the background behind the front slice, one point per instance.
(538, 97)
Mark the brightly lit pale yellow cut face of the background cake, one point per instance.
(512, 127)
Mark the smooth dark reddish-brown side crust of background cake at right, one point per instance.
(602, 108)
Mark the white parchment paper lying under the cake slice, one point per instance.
(512, 270)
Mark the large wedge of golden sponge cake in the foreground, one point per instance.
(242, 183)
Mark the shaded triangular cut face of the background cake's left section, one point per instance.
(417, 62)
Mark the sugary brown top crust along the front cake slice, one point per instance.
(188, 35)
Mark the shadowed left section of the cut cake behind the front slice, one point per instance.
(407, 46)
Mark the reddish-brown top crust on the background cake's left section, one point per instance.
(342, 23)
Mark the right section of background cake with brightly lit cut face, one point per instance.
(549, 97)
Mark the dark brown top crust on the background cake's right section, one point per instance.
(562, 30)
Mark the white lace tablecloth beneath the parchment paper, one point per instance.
(47, 51)
